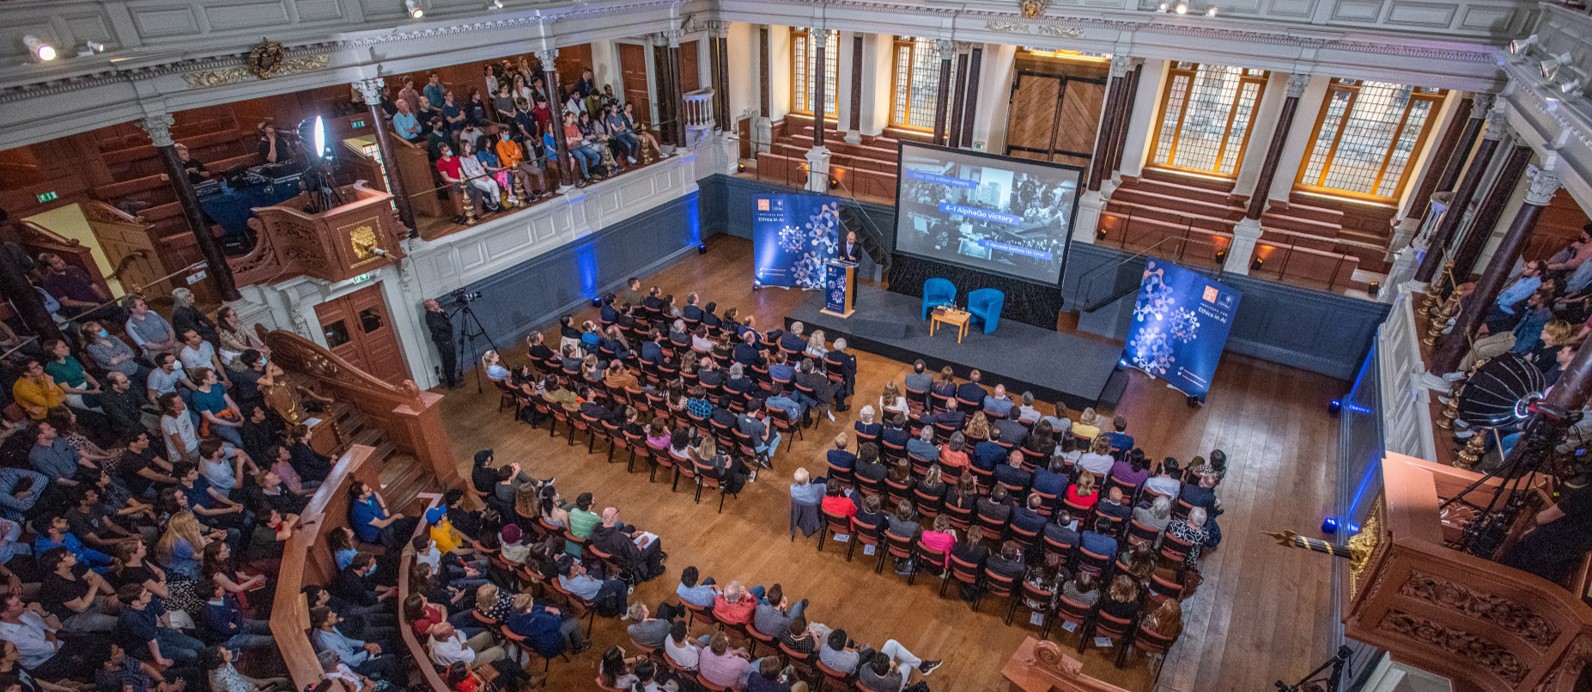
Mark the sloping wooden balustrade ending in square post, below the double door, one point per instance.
(410, 418)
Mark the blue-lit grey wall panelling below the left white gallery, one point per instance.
(533, 295)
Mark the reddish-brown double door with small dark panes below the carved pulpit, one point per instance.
(359, 330)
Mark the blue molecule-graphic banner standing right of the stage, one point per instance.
(1180, 327)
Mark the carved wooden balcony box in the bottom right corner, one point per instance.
(1485, 626)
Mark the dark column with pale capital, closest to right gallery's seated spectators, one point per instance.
(1451, 354)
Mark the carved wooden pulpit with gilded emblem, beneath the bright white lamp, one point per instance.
(340, 244)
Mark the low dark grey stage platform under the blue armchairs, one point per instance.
(1026, 359)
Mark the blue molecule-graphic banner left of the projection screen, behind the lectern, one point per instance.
(794, 238)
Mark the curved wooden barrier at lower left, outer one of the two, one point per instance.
(306, 561)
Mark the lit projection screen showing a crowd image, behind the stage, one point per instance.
(985, 212)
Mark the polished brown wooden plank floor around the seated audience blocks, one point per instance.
(1260, 616)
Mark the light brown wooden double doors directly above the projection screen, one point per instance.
(1055, 117)
